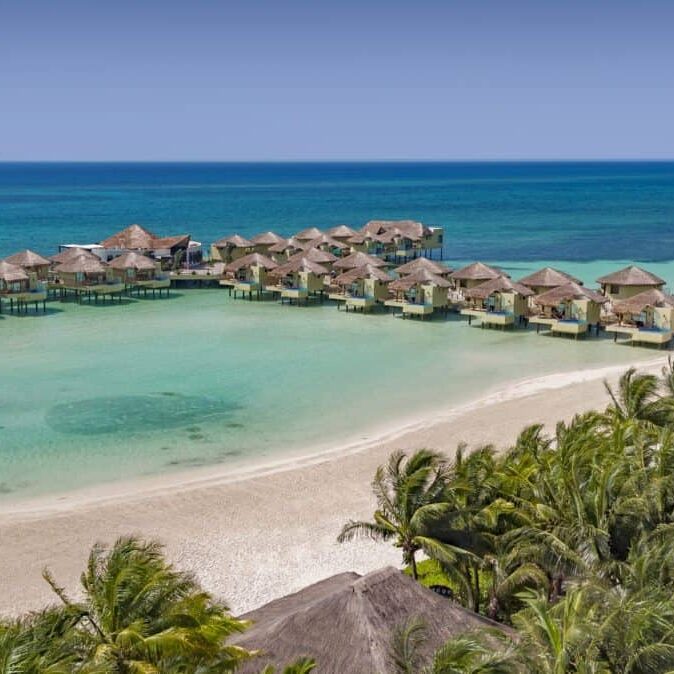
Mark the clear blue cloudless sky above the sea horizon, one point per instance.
(348, 79)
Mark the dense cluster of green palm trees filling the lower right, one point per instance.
(567, 538)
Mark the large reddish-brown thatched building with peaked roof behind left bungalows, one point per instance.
(169, 250)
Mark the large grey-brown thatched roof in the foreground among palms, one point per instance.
(347, 623)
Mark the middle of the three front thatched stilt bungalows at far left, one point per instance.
(87, 277)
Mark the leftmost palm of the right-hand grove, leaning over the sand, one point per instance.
(410, 493)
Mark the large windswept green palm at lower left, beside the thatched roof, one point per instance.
(141, 615)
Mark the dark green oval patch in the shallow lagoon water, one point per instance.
(155, 411)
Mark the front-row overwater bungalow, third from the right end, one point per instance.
(499, 302)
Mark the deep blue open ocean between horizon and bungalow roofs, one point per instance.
(492, 211)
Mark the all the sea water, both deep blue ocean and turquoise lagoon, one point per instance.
(93, 394)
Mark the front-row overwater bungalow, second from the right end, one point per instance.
(570, 309)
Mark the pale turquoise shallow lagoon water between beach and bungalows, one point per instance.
(95, 394)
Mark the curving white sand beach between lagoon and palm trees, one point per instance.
(264, 531)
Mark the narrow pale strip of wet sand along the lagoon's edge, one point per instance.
(253, 467)
